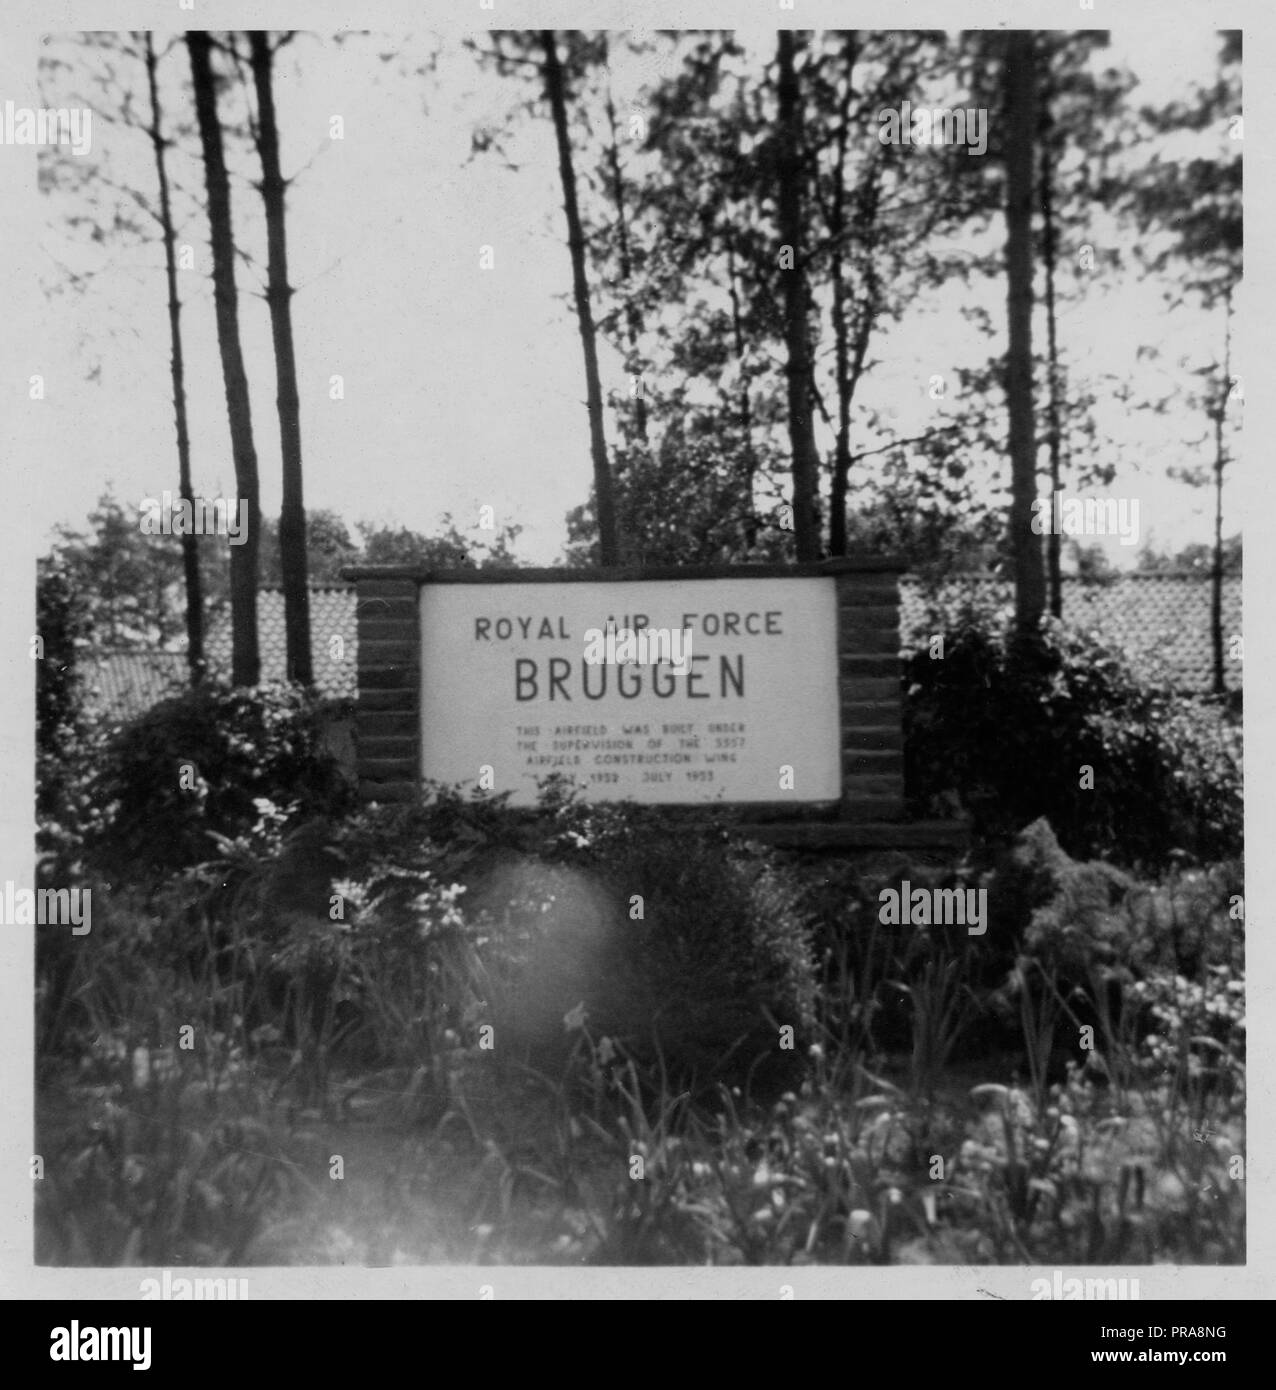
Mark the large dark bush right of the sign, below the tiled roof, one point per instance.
(1004, 730)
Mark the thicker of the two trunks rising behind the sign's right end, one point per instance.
(797, 326)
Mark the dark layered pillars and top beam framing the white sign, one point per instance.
(871, 694)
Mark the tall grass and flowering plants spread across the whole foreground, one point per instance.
(224, 1081)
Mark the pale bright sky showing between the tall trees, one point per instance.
(464, 387)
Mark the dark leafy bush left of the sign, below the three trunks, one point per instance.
(198, 764)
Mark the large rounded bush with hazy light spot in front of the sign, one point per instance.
(700, 976)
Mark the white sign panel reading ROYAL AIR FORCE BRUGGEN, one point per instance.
(653, 692)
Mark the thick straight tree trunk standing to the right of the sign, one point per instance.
(1021, 104)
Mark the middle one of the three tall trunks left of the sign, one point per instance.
(245, 660)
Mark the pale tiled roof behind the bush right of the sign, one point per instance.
(1160, 622)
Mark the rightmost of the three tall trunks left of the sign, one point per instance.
(279, 297)
